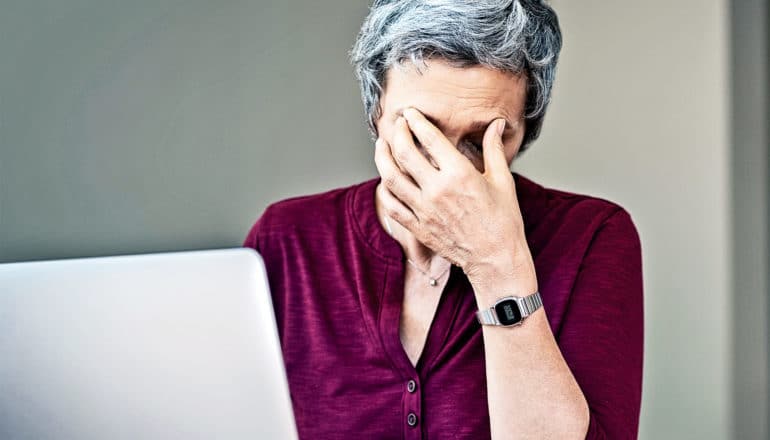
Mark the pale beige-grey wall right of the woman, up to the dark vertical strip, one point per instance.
(641, 116)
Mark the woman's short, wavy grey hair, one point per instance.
(517, 36)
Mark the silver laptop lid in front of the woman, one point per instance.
(161, 346)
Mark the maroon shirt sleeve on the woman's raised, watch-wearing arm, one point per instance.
(602, 335)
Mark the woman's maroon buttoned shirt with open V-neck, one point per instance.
(337, 281)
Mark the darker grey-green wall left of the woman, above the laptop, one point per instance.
(136, 126)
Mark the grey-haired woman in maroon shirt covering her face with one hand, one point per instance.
(449, 297)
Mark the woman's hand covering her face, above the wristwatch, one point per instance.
(470, 218)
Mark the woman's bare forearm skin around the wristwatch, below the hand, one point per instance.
(531, 391)
